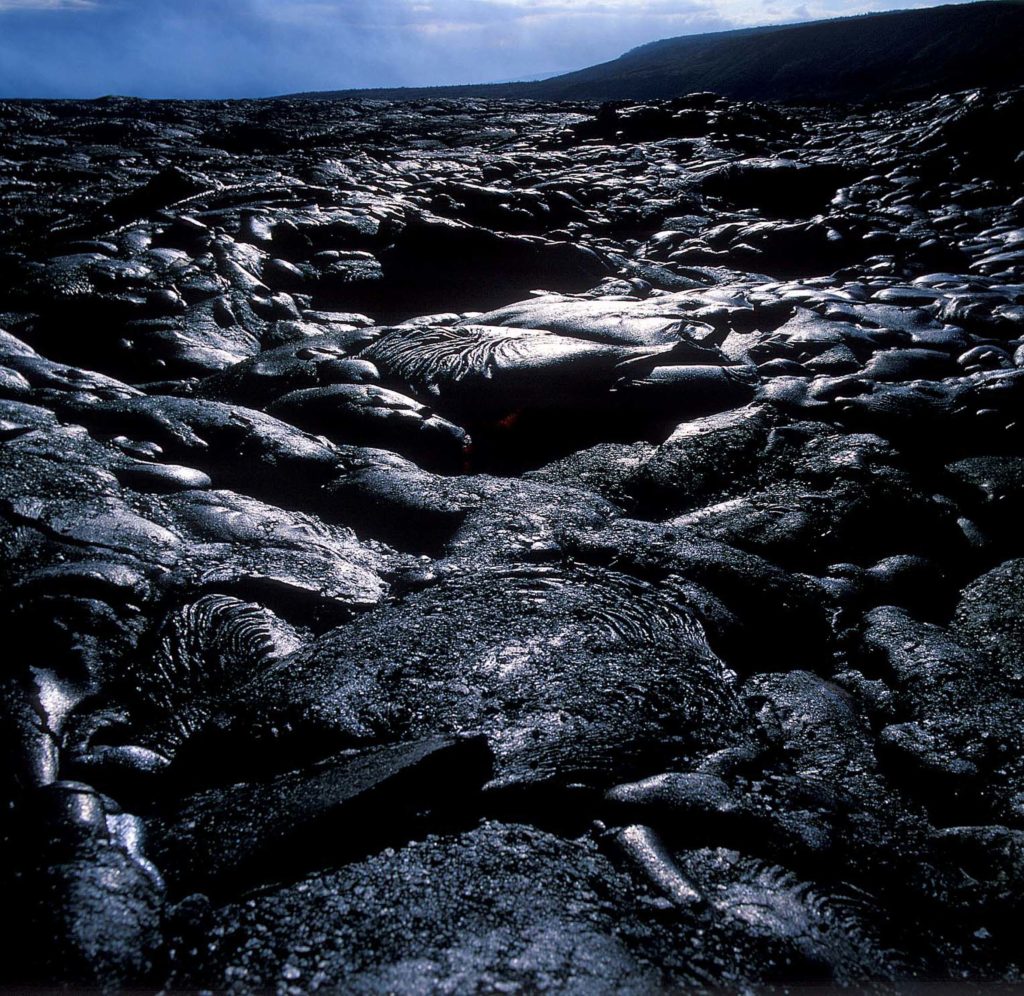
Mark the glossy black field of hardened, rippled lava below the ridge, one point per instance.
(493, 547)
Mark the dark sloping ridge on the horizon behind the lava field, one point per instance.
(868, 58)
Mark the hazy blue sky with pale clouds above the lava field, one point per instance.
(238, 49)
